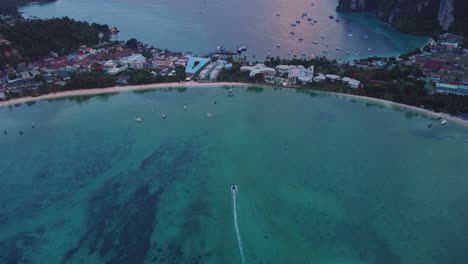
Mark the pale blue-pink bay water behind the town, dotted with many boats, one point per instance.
(200, 26)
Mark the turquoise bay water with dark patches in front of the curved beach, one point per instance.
(322, 179)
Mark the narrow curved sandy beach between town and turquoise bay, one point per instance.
(120, 89)
